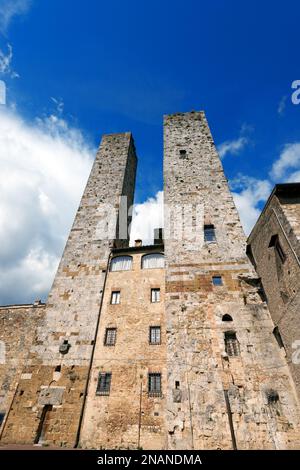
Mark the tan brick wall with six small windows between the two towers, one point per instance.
(117, 420)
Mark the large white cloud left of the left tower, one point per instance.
(44, 167)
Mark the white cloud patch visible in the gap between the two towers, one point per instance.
(146, 217)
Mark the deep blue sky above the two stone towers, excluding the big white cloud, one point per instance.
(120, 65)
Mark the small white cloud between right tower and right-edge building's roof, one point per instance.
(251, 193)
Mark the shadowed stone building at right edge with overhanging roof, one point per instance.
(279, 267)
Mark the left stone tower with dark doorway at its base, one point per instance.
(53, 384)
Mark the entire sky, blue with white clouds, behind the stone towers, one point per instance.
(71, 70)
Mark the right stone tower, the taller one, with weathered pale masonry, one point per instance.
(228, 383)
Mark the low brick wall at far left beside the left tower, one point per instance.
(18, 324)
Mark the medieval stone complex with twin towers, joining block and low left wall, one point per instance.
(168, 346)
